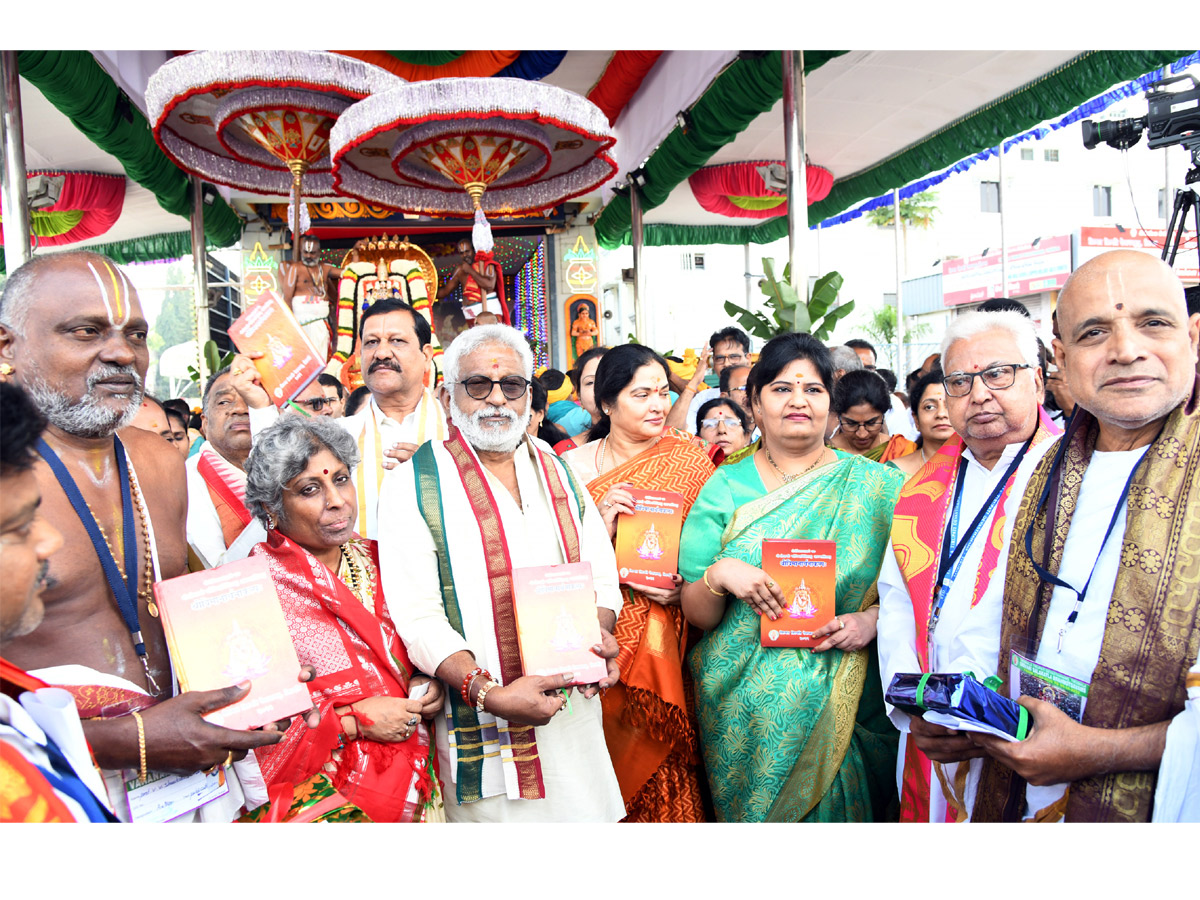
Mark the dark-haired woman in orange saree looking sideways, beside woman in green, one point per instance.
(649, 719)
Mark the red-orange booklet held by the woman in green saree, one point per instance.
(807, 573)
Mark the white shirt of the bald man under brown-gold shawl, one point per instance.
(1099, 497)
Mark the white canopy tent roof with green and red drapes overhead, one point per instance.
(877, 119)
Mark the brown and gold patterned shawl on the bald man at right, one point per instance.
(1151, 638)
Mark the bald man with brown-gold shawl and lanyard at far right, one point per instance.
(1100, 621)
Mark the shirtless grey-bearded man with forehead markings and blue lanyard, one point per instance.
(74, 335)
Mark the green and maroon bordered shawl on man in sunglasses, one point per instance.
(475, 739)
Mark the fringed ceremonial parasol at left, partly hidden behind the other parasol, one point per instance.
(259, 121)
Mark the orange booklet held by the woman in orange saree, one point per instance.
(649, 541)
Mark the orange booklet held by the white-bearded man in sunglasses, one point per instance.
(557, 625)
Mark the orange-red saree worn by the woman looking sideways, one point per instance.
(650, 719)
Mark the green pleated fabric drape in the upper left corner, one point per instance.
(80, 89)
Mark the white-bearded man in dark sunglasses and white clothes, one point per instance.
(455, 521)
